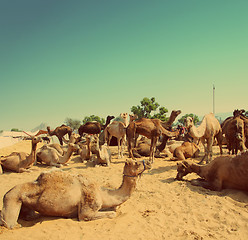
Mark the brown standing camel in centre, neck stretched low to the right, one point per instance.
(150, 128)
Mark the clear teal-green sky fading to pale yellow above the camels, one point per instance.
(70, 59)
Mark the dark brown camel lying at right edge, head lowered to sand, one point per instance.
(222, 172)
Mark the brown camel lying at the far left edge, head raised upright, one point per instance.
(20, 161)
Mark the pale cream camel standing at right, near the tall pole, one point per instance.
(208, 130)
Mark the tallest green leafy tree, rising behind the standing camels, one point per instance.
(146, 107)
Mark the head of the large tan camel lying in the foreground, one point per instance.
(134, 169)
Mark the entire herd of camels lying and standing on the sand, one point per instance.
(86, 200)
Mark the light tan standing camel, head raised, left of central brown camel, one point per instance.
(118, 130)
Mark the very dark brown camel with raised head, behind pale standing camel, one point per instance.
(94, 127)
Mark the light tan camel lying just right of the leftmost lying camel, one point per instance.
(51, 156)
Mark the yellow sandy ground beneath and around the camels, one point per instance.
(160, 208)
